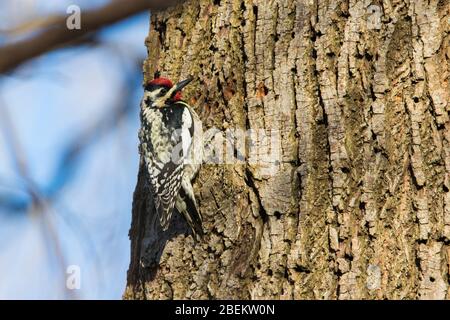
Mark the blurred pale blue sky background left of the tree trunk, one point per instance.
(68, 151)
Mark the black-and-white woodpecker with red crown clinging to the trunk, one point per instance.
(171, 144)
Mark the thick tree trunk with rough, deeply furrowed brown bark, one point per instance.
(359, 205)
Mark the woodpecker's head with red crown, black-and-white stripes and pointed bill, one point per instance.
(161, 92)
